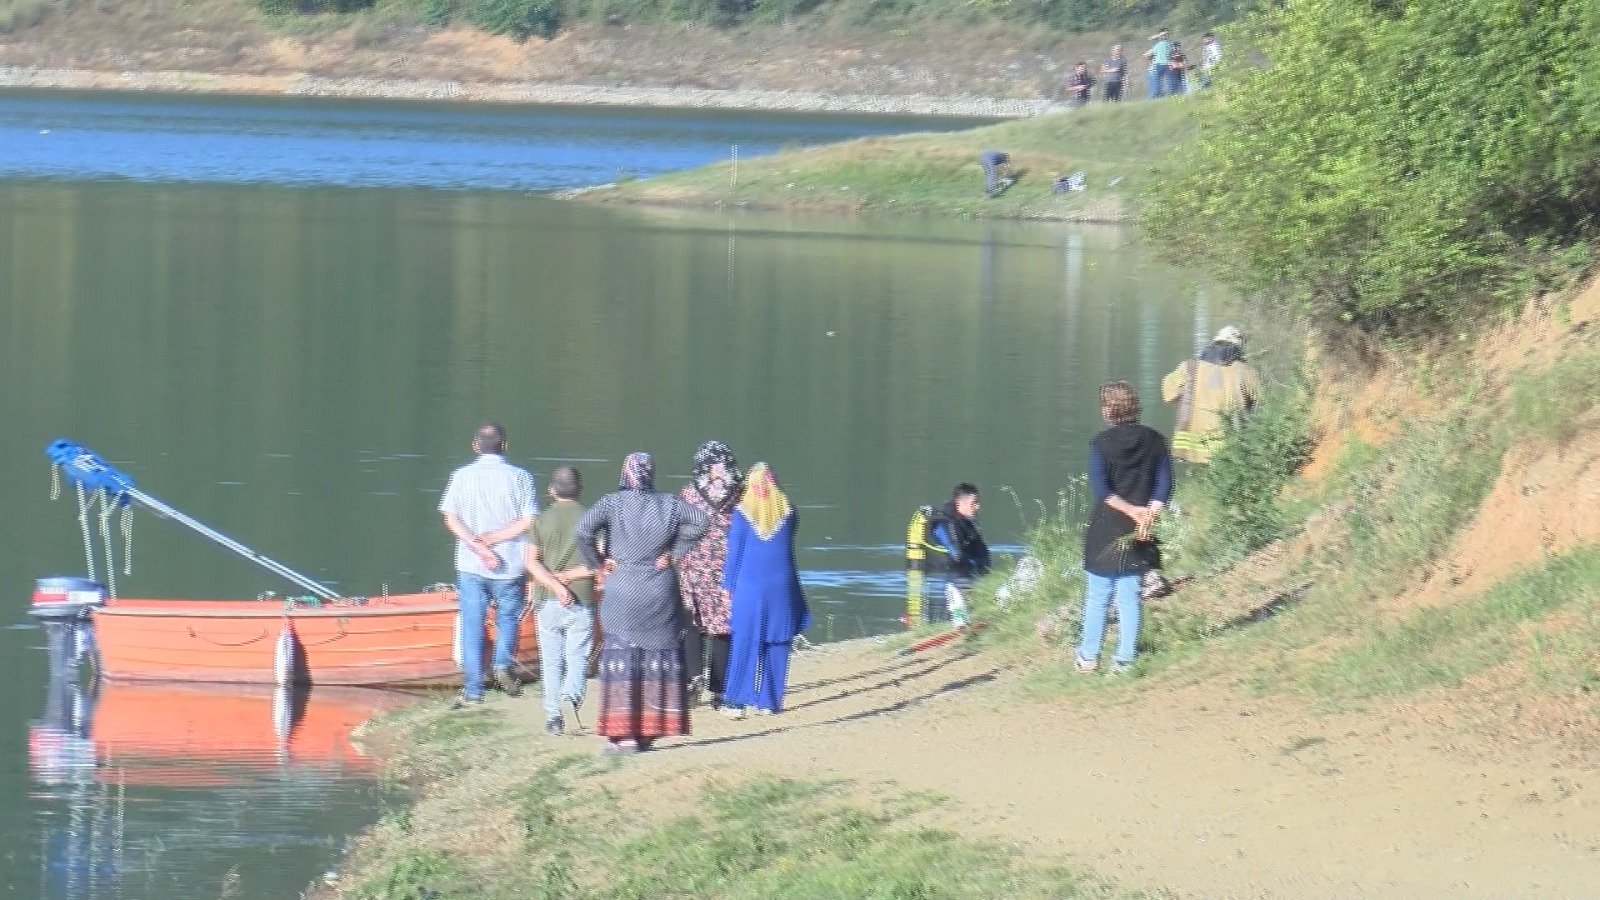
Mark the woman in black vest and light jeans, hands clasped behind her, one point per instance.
(1132, 478)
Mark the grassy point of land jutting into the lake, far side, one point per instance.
(1116, 147)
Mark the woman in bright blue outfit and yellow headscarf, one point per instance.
(767, 605)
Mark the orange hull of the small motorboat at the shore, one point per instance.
(401, 640)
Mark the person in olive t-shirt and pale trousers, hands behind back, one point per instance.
(564, 595)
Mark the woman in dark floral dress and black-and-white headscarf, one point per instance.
(714, 489)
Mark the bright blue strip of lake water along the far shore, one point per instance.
(388, 143)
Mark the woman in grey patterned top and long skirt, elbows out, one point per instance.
(644, 691)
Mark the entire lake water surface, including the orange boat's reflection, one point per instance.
(218, 299)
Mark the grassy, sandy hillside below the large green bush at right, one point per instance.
(1433, 545)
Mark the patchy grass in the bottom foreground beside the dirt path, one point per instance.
(574, 826)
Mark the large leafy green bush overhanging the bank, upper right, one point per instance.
(1396, 167)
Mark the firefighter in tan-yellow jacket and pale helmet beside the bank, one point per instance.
(1215, 388)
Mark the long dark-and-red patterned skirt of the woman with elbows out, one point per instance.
(644, 694)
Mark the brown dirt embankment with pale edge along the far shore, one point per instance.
(226, 47)
